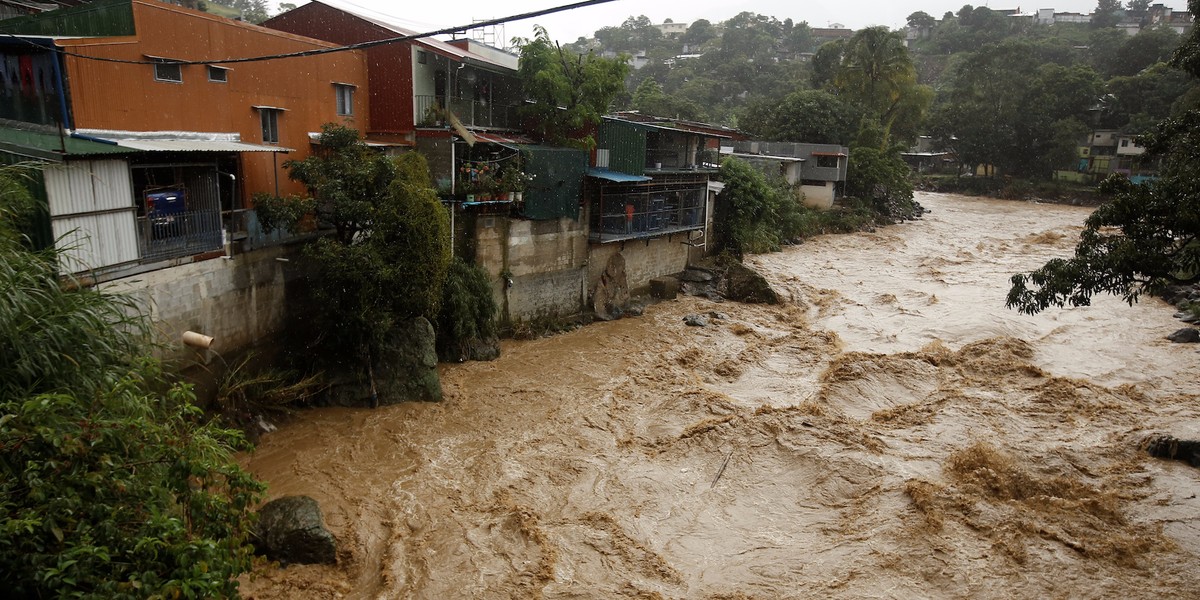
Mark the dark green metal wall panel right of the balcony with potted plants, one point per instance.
(559, 182)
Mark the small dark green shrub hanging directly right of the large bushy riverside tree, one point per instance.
(469, 310)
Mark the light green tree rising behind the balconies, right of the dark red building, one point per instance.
(568, 93)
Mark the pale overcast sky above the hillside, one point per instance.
(567, 27)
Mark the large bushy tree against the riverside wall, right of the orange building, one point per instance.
(389, 253)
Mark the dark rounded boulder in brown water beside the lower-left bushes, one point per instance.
(292, 531)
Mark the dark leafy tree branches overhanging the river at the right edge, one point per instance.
(1147, 237)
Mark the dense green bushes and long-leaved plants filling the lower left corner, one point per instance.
(112, 484)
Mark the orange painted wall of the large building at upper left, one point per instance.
(118, 97)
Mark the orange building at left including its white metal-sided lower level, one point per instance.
(158, 159)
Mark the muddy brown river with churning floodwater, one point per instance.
(892, 431)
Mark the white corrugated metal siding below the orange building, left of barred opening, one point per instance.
(93, 213)
